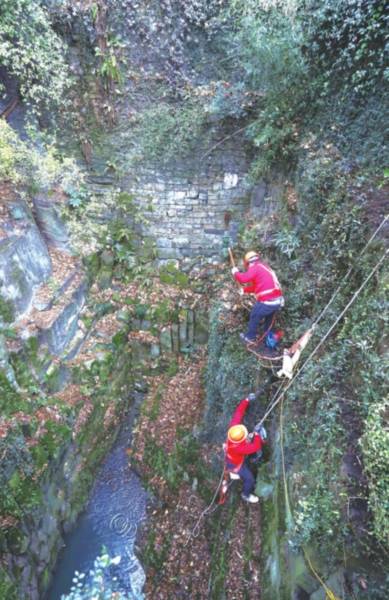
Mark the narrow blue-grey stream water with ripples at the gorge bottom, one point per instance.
(116, 507)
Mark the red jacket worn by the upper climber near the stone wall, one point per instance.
(262, 282)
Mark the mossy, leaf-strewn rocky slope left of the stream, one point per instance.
(70, 352)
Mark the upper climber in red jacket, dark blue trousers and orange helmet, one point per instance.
(259, 279)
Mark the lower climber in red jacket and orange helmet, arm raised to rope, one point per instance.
(239, 445)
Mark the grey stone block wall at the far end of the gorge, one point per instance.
(192, 209)
